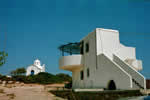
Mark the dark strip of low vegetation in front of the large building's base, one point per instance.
(102, 95)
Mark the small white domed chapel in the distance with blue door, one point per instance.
(35, 68)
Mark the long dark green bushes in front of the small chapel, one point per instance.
(43, 78)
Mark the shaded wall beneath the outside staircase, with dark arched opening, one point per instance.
(109, 70)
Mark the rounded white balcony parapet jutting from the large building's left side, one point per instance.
(71, 63)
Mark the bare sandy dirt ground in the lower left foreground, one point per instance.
(26, 92)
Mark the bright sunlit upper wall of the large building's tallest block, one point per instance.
(107, 41)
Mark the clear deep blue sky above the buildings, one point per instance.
(35, 28)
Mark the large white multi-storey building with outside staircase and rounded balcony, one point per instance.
(100, 61)
